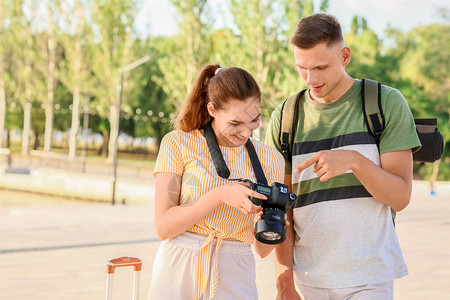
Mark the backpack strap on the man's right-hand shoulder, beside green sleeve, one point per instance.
(371, 103)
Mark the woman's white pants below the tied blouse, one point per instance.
(175, 266)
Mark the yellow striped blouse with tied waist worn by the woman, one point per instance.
(187, 154)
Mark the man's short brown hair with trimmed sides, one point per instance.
(316, 29)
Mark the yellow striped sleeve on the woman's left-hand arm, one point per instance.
(169, 158)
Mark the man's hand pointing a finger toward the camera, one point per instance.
(329, 163)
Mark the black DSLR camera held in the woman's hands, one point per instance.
(270, 229)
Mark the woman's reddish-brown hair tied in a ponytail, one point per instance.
(216, 85)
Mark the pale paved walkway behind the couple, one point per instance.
(60, 252)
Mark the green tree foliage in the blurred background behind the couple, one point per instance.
(91, 55)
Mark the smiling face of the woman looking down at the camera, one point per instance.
(234, 123)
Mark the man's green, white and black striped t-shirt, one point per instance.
(344, 236)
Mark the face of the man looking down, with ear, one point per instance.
(323, 70)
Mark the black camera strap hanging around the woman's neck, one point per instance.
(219, 162)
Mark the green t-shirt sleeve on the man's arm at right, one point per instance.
(400, 130)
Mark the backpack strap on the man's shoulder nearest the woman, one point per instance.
(288, 124)
